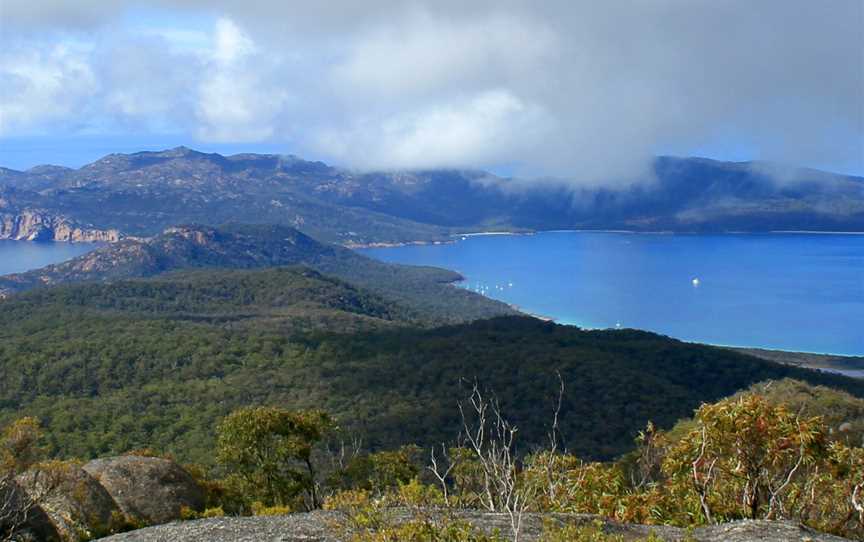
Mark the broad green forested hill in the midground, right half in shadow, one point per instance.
(157, 362)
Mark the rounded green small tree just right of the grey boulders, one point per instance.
(269, 450)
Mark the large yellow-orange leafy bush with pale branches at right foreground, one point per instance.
(744, 458)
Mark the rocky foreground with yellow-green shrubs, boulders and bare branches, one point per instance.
(750, 456)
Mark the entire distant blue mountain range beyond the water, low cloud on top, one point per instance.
(143, 193)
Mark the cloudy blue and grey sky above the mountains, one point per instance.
(576, 89)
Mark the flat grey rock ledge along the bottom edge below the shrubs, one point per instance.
(322, 526)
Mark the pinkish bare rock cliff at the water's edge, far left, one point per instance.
(39, 226)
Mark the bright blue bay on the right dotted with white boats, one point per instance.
(797, 292)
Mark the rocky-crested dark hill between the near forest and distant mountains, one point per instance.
(424, 292)
